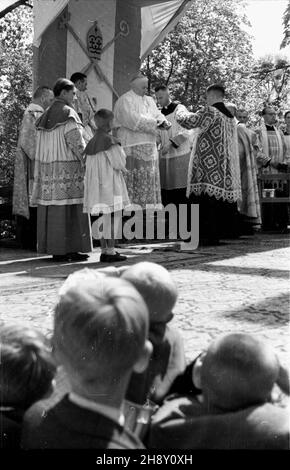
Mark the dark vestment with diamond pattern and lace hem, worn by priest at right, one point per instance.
(214, 163)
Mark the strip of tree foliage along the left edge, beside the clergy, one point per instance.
(15, 82)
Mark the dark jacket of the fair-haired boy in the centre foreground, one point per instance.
(68, 426)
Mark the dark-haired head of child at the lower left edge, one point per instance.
(26, 367)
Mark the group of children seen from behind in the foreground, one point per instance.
(113, 375)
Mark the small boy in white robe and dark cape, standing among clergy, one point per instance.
(105, 188)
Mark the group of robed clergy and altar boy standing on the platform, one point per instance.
(70, 167)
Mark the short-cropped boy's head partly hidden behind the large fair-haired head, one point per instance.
(157, 288)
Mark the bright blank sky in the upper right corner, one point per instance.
(266, 17)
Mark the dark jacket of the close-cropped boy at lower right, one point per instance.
(183, 423)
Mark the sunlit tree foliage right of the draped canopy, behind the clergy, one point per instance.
(211, 44)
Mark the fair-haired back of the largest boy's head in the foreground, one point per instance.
(100, 328)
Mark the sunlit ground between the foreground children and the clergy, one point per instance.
(242, 285)
